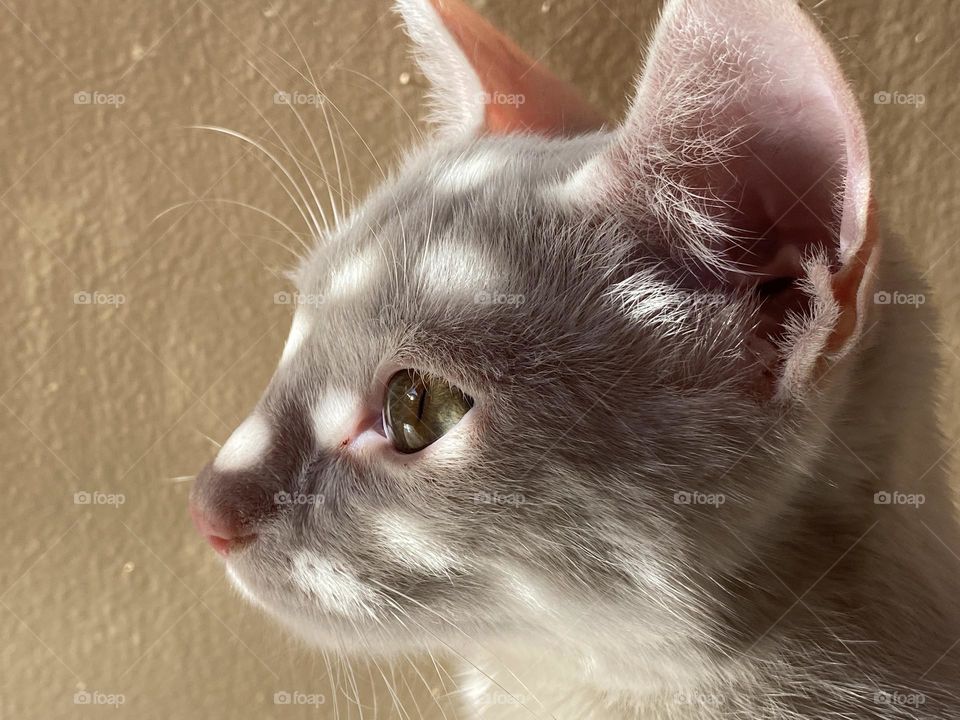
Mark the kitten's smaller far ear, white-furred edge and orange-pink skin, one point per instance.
(482, 82)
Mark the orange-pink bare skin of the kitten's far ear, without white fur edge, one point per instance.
(521, 95)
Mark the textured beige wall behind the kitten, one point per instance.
(127, 399)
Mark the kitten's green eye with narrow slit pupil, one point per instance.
(419, 409)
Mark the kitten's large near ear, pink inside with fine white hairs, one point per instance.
(744, 156)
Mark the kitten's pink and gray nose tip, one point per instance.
(227, 507)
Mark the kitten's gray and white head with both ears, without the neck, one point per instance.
(550, 362)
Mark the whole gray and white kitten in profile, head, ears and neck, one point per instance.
(611, 415)
